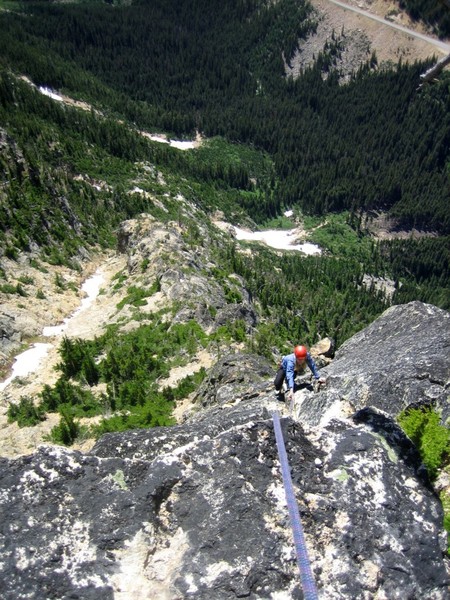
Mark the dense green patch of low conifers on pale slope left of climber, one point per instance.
(131, 365)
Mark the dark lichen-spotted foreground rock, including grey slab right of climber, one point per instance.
(198, 510)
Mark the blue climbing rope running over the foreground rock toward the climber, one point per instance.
(308, 584)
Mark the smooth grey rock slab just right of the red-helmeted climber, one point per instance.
(401, 359)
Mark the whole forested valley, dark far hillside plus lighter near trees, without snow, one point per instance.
(334, 152)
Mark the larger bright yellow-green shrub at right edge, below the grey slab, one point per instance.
(432, 439)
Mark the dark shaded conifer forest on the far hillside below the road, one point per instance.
(218, 67)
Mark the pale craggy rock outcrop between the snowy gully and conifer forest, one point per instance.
(185, 273)
